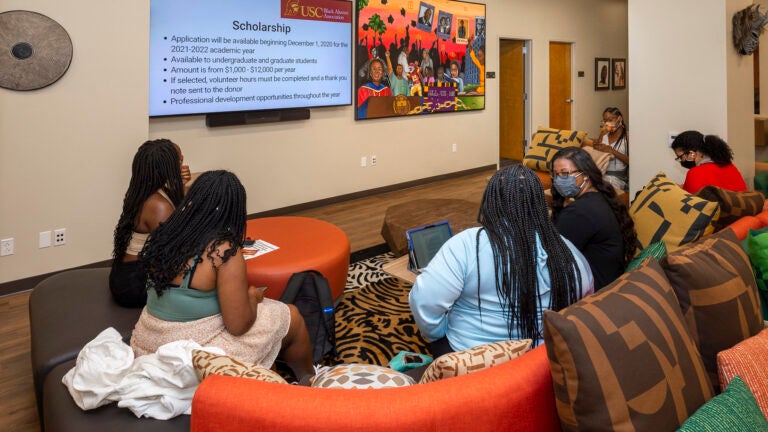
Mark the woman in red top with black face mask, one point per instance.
(709, 162)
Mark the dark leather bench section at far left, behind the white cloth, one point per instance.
(66, 311)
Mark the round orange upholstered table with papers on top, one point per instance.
(304, 244)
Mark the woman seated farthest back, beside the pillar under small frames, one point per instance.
(614, 139)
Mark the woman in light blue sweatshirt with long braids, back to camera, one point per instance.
(491, 283)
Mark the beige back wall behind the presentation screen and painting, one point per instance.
(65, 150)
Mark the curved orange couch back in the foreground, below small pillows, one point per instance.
(514, 396)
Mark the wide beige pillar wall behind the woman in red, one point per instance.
(686, 75)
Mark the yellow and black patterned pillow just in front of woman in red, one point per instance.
(664, 211)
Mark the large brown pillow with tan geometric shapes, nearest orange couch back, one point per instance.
(622, 359)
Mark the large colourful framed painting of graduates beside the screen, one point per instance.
(419, 57)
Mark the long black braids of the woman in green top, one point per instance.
(212, 213)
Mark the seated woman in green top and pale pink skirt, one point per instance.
(197, 285)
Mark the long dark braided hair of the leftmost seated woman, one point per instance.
(156, 165)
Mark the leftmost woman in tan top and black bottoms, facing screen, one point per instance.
(156, 188)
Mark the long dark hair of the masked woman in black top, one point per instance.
(585, 164)
